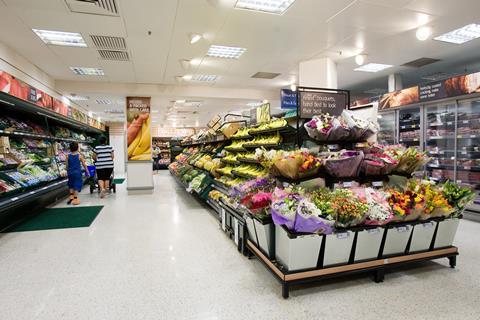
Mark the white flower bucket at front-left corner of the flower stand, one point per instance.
(296, 252)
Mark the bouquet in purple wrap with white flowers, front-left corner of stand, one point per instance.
(310, 219)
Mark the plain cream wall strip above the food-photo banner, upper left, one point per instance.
(17, 65)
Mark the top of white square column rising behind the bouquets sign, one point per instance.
(318, 73)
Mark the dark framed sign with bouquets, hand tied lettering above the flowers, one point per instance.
(313, 103)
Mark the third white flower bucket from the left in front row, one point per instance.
(368, 244)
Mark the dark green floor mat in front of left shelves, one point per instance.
(59, 218)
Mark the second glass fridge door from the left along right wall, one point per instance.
(409, 127)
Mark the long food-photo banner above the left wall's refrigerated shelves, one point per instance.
(22, 90)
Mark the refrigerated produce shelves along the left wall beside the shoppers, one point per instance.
(33, 160)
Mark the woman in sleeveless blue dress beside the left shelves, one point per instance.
(74, 170)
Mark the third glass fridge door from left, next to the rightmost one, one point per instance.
(440, 141)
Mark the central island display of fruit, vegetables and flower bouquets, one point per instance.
(346, 205)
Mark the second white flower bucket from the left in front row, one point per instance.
(338, 247)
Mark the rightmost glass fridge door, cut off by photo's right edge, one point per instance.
(468, 146)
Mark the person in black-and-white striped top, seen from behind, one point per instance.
(103, 156)
